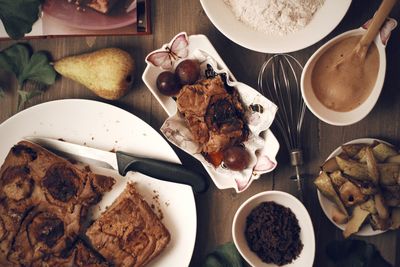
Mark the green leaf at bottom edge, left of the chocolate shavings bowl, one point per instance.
(225, 255)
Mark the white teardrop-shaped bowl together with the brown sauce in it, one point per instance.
(343, 94)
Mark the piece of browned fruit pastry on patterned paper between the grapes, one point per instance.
(213, 113)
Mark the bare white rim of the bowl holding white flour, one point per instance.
(323, 22)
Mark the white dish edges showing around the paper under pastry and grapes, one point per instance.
(201, 42)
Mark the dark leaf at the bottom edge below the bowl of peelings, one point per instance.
(355, 253)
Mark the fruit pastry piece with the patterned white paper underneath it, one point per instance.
(216, 113)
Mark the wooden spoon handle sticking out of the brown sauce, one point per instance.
(377, 21)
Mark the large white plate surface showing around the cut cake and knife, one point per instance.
(107, 127)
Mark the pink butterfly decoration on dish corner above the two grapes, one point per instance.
(168, 53)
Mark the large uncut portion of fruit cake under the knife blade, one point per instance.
(44, 200)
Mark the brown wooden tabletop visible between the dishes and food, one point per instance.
(216, 208)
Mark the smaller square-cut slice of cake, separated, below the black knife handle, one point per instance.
(129, 233)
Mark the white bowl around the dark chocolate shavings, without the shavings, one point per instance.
(306, 257)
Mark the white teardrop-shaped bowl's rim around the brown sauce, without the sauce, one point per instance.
(331, 116)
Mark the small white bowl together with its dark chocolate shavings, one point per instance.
(273, 228)
